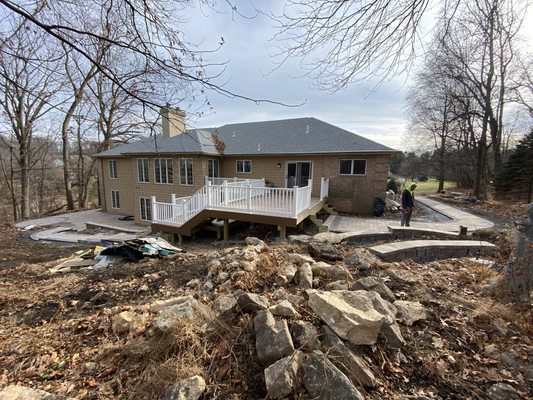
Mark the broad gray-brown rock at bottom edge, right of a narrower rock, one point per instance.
(324, 381)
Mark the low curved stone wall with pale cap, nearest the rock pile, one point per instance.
(429, 250)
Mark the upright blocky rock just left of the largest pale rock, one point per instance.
(272, 339)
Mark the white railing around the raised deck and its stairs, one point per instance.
(247, 196)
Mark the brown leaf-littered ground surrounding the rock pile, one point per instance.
(55, 330)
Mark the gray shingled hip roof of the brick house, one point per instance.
(290, 136)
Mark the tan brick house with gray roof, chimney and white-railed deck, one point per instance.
(277, 172)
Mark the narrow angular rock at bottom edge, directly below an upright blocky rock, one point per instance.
(282, 377)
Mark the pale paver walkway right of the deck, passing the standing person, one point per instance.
(457, 217)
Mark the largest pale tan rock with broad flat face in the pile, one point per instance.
(358, 325)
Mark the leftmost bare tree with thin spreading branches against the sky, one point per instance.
(28, 82)
